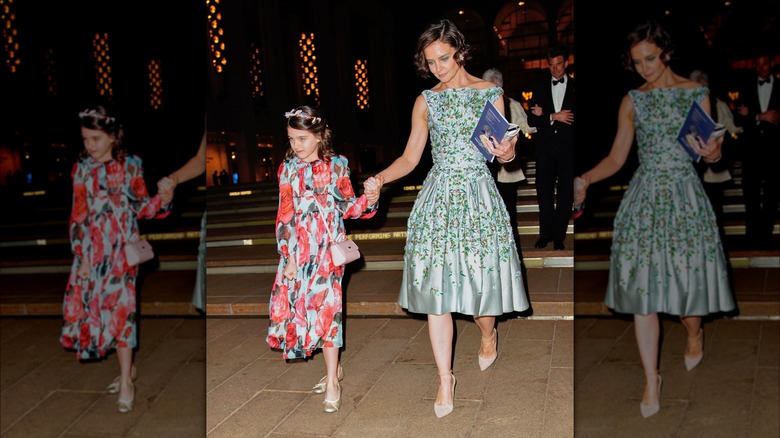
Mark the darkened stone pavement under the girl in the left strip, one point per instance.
(46, 392)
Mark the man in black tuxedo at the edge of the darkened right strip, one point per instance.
(759, 113)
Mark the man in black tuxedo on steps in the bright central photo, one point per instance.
(552, 114)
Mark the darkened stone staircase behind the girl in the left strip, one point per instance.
(35, 255)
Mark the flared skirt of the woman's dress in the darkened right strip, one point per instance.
(666, 251)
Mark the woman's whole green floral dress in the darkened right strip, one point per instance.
(666, 251)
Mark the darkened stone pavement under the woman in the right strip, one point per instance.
(733, 392)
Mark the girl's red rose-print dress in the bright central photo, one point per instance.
(314, 200)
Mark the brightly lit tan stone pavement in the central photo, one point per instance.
(390, 382)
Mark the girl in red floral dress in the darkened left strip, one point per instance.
(109, 195)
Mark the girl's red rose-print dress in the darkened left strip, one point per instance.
(108, 198)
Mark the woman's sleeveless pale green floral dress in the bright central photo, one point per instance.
(460, 255)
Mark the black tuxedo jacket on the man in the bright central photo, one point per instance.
(558, 133)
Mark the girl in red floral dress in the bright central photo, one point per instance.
(315, 195)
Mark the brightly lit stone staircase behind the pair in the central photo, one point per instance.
(242, 257)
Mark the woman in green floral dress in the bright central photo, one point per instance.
(460, 254)
